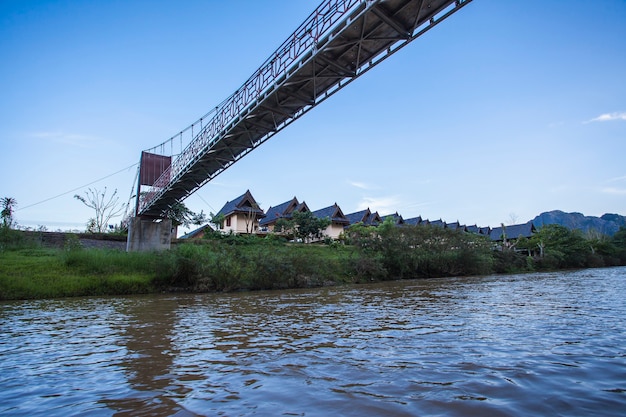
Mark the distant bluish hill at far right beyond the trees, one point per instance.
(607, 224)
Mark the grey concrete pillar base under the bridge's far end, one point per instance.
(148, 235)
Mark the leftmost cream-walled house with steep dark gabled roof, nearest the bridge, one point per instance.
(241, 215)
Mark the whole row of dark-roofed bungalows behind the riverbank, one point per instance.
(243, 215)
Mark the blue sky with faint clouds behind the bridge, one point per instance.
(506, 110)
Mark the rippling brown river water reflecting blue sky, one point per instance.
(533, 344)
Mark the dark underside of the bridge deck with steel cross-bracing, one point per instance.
(367, 35)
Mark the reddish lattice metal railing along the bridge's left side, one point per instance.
(304, 39)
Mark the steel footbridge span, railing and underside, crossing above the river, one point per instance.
(340, 41)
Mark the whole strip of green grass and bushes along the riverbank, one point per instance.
(30, 269)
